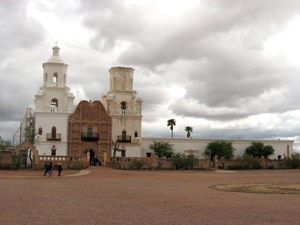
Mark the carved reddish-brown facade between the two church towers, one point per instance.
(89, 131)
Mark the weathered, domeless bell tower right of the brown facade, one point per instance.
(125, 107)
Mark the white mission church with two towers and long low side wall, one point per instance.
(66, 129)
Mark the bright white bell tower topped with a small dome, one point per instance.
(53, 104)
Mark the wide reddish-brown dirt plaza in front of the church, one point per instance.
(105, 196)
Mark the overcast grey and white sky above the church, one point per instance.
(228, 68)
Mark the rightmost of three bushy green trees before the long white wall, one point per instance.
(258, 150)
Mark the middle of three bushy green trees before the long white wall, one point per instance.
(219, 148)
